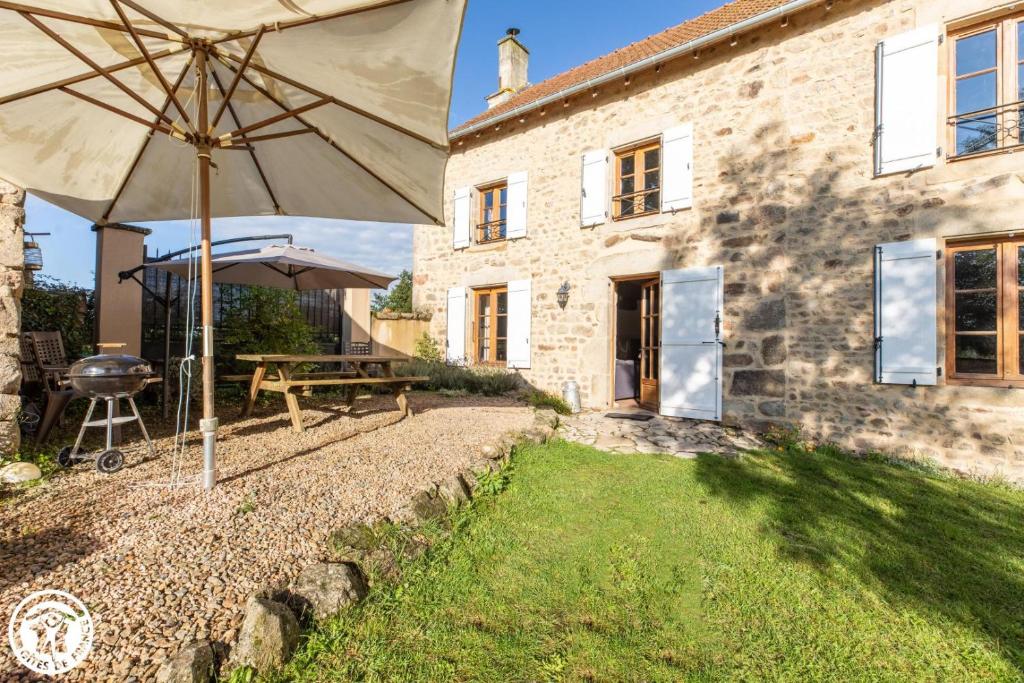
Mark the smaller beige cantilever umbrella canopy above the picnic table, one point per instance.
(285, 267)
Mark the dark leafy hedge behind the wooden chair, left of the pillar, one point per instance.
(56, 306)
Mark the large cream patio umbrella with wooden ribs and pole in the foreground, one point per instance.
(119, 110)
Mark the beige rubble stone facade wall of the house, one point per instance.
(786, 199)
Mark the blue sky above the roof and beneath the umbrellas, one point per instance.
(560, 34)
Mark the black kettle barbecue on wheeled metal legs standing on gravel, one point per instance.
(108, 378)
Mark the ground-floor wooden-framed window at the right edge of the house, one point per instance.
(986, 313)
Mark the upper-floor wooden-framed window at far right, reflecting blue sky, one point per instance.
(986, 91)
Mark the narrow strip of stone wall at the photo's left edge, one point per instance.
(12, 280)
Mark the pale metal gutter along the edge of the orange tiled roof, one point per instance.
(672, 53)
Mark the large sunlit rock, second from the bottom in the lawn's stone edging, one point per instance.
(269, 635)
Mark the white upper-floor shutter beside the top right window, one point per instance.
(907, 102)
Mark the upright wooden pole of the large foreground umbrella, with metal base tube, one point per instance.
(208, 425)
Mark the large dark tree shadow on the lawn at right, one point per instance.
(930, 544)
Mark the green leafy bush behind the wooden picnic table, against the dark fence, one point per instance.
(266, 321)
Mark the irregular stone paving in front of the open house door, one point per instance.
(677, 437)
